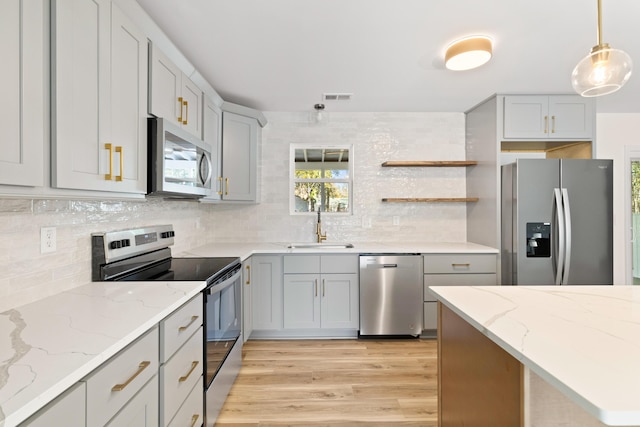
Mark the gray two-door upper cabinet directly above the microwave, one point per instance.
(172, 95)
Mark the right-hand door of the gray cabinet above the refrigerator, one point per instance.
(571, 117)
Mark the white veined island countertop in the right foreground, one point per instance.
(583, 340)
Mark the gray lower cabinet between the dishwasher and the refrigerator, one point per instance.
(454, 270)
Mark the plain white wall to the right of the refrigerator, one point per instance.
(614, 133)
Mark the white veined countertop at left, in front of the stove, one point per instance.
(49, 345)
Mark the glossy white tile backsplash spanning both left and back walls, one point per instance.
(26, 275)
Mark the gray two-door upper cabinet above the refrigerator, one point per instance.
(555, 117)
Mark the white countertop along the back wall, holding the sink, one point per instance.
(245, 250)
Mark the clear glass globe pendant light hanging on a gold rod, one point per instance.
(604, 70)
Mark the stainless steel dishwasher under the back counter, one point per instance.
(391, 299)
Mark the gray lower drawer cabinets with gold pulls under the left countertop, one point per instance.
(150, 382)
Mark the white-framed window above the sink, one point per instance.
(321, 178)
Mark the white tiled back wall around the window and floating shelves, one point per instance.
(376, 137)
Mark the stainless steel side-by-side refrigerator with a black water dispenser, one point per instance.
(557, 222)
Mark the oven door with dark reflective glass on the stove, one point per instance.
(223, 314)
